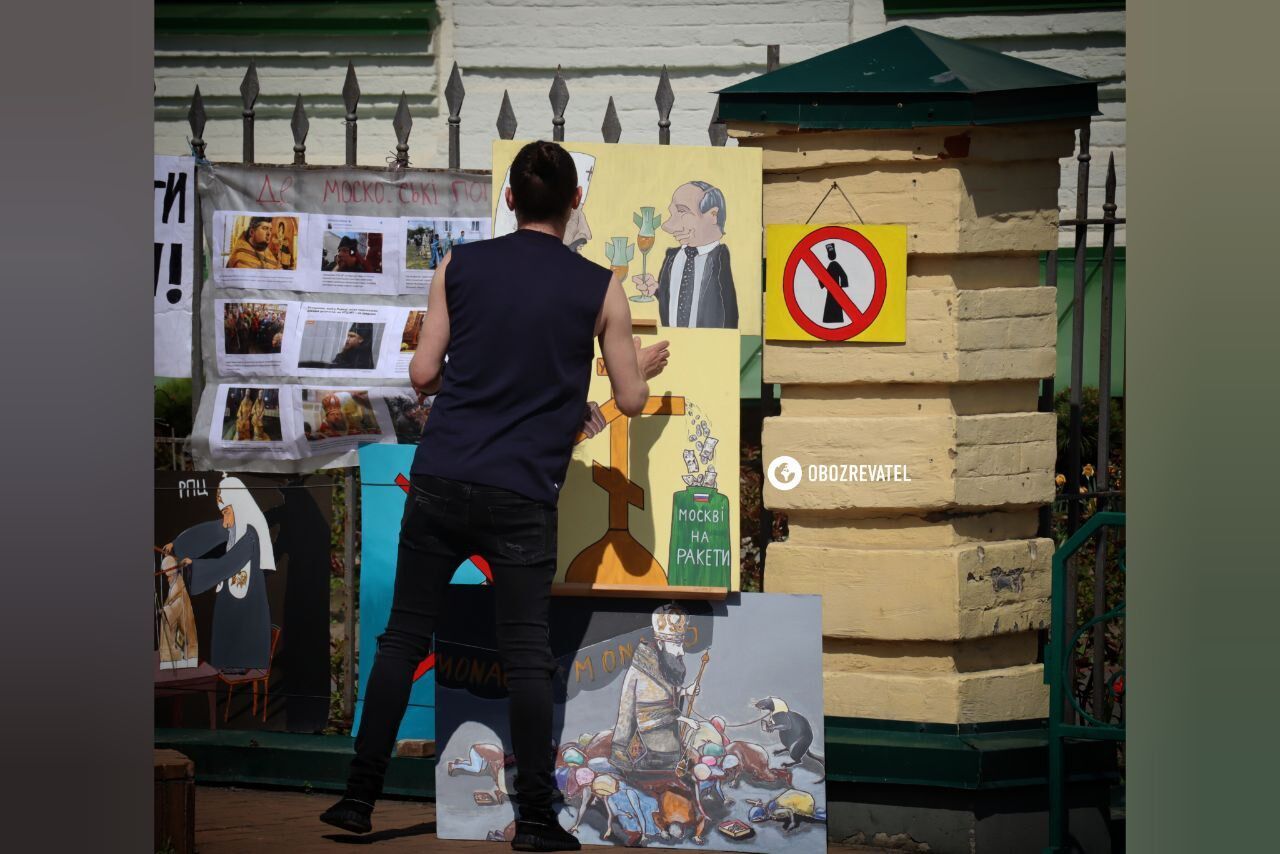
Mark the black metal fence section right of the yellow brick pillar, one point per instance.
(1086, 657)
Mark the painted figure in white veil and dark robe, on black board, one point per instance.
(243, 619)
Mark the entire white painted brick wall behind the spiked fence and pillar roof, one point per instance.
(607, 48)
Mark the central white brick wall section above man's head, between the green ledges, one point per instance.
(618, 48)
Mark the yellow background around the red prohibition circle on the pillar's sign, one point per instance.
(890, 241)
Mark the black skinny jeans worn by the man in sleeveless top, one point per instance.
(445, 523)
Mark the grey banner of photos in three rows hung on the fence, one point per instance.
(316, 299)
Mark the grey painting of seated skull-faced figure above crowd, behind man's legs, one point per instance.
(642, 757)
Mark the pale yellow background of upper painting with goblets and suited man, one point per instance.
(633, 176)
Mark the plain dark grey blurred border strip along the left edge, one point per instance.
(77, 478)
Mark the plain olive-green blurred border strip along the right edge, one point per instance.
(1203, 398)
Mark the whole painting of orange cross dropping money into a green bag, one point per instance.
(650, 504)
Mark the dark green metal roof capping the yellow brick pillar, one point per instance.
(906, 79)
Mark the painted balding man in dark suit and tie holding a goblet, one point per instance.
(696, 285)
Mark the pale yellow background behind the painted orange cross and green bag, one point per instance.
(703, 368)
